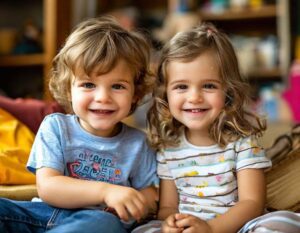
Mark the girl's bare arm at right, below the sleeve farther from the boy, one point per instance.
(251, 193)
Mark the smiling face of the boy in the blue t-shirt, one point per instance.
(102, 101)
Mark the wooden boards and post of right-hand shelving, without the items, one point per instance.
(268, 19)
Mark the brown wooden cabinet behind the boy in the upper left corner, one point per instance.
(19, 70)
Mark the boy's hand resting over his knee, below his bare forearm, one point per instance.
(126, 201)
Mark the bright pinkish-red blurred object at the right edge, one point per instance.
(292, 95)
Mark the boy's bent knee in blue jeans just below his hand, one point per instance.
(92, 221)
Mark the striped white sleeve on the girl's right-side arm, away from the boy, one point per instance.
(250, 155)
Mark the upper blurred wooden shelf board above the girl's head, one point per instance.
(267, 11)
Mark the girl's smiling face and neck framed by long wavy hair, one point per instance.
(195, 95)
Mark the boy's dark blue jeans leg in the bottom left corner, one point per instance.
(24, 216)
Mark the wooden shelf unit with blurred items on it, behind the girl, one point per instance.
(260, 32)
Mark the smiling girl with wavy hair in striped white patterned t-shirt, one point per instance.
(209, 162)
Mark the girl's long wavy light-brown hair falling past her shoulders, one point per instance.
(235, 121)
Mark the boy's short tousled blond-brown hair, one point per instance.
(101, 42)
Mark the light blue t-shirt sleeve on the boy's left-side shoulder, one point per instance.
(46, 150)
